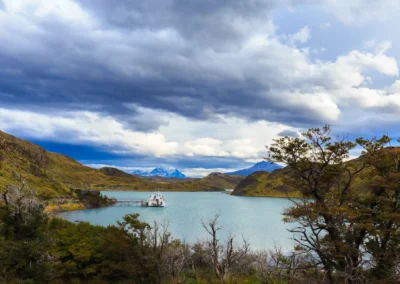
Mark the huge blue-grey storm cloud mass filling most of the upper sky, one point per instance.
(155, 54)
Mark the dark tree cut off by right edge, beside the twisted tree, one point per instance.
(382, 205)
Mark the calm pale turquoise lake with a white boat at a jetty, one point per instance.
(258, 219)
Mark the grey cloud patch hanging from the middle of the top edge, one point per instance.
(205, 22)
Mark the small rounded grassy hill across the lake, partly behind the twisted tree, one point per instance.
(265, 184)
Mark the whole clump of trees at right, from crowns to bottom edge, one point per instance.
(349, 217)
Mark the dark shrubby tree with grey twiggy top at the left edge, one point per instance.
(24, 236)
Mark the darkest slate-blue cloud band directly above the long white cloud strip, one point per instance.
(39, 90)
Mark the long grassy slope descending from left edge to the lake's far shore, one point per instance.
(54, 174)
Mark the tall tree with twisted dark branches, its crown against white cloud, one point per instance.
(327, 216)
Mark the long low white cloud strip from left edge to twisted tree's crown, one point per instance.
(194, 138)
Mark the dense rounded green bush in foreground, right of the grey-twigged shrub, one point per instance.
(92, 252)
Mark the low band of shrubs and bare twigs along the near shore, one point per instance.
(35, 248)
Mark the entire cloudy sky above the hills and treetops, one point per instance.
(201, 86)
